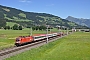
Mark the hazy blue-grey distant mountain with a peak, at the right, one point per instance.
(80, 21)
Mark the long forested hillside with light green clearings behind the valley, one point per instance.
(28, 19)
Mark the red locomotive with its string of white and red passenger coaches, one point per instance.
(25, 39)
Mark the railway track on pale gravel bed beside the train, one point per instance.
(4, 54)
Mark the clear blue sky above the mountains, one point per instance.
(61, 8)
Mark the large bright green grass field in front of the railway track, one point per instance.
(75, 46)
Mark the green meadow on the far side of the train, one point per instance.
(7, 37)
